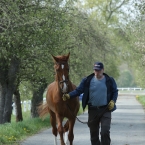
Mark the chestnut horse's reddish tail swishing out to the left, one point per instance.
(43, 110)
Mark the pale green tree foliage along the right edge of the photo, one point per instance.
(134, 52)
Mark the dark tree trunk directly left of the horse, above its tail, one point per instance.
(36, 100)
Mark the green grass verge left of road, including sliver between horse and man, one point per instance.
(14, 132)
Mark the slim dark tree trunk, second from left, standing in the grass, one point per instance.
(18, 107)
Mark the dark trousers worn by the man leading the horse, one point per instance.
(103, 120)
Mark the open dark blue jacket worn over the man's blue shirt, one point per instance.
(112, 91)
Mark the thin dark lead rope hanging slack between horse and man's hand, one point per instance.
(106, 108)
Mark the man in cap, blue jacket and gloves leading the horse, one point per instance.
(100, 92)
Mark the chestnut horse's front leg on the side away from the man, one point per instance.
(60, 128)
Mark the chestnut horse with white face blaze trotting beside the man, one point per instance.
(55, 105)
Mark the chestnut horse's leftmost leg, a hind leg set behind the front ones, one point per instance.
(53, 122)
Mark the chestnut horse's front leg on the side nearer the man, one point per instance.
(71, 134)
